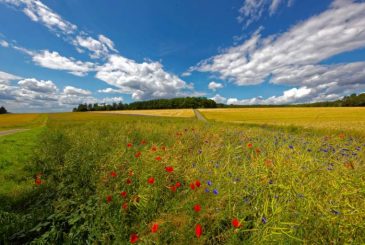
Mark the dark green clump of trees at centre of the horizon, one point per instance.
(175, 103)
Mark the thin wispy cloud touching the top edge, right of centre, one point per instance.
(252, 10)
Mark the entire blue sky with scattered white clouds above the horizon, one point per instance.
(56, 54)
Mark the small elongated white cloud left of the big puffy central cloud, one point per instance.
(53, 60)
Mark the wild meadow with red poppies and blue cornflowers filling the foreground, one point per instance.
(112, 178)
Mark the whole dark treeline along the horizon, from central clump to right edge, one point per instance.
(202, 102)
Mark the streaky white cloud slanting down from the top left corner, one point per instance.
(39, 12)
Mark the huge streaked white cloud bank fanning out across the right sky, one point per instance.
(293, 58)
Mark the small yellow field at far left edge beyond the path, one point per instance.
(10, 121)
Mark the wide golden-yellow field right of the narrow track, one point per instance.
(340, 118)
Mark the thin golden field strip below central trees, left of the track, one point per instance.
(161, 112)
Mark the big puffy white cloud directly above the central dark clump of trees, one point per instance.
(146, 80)
